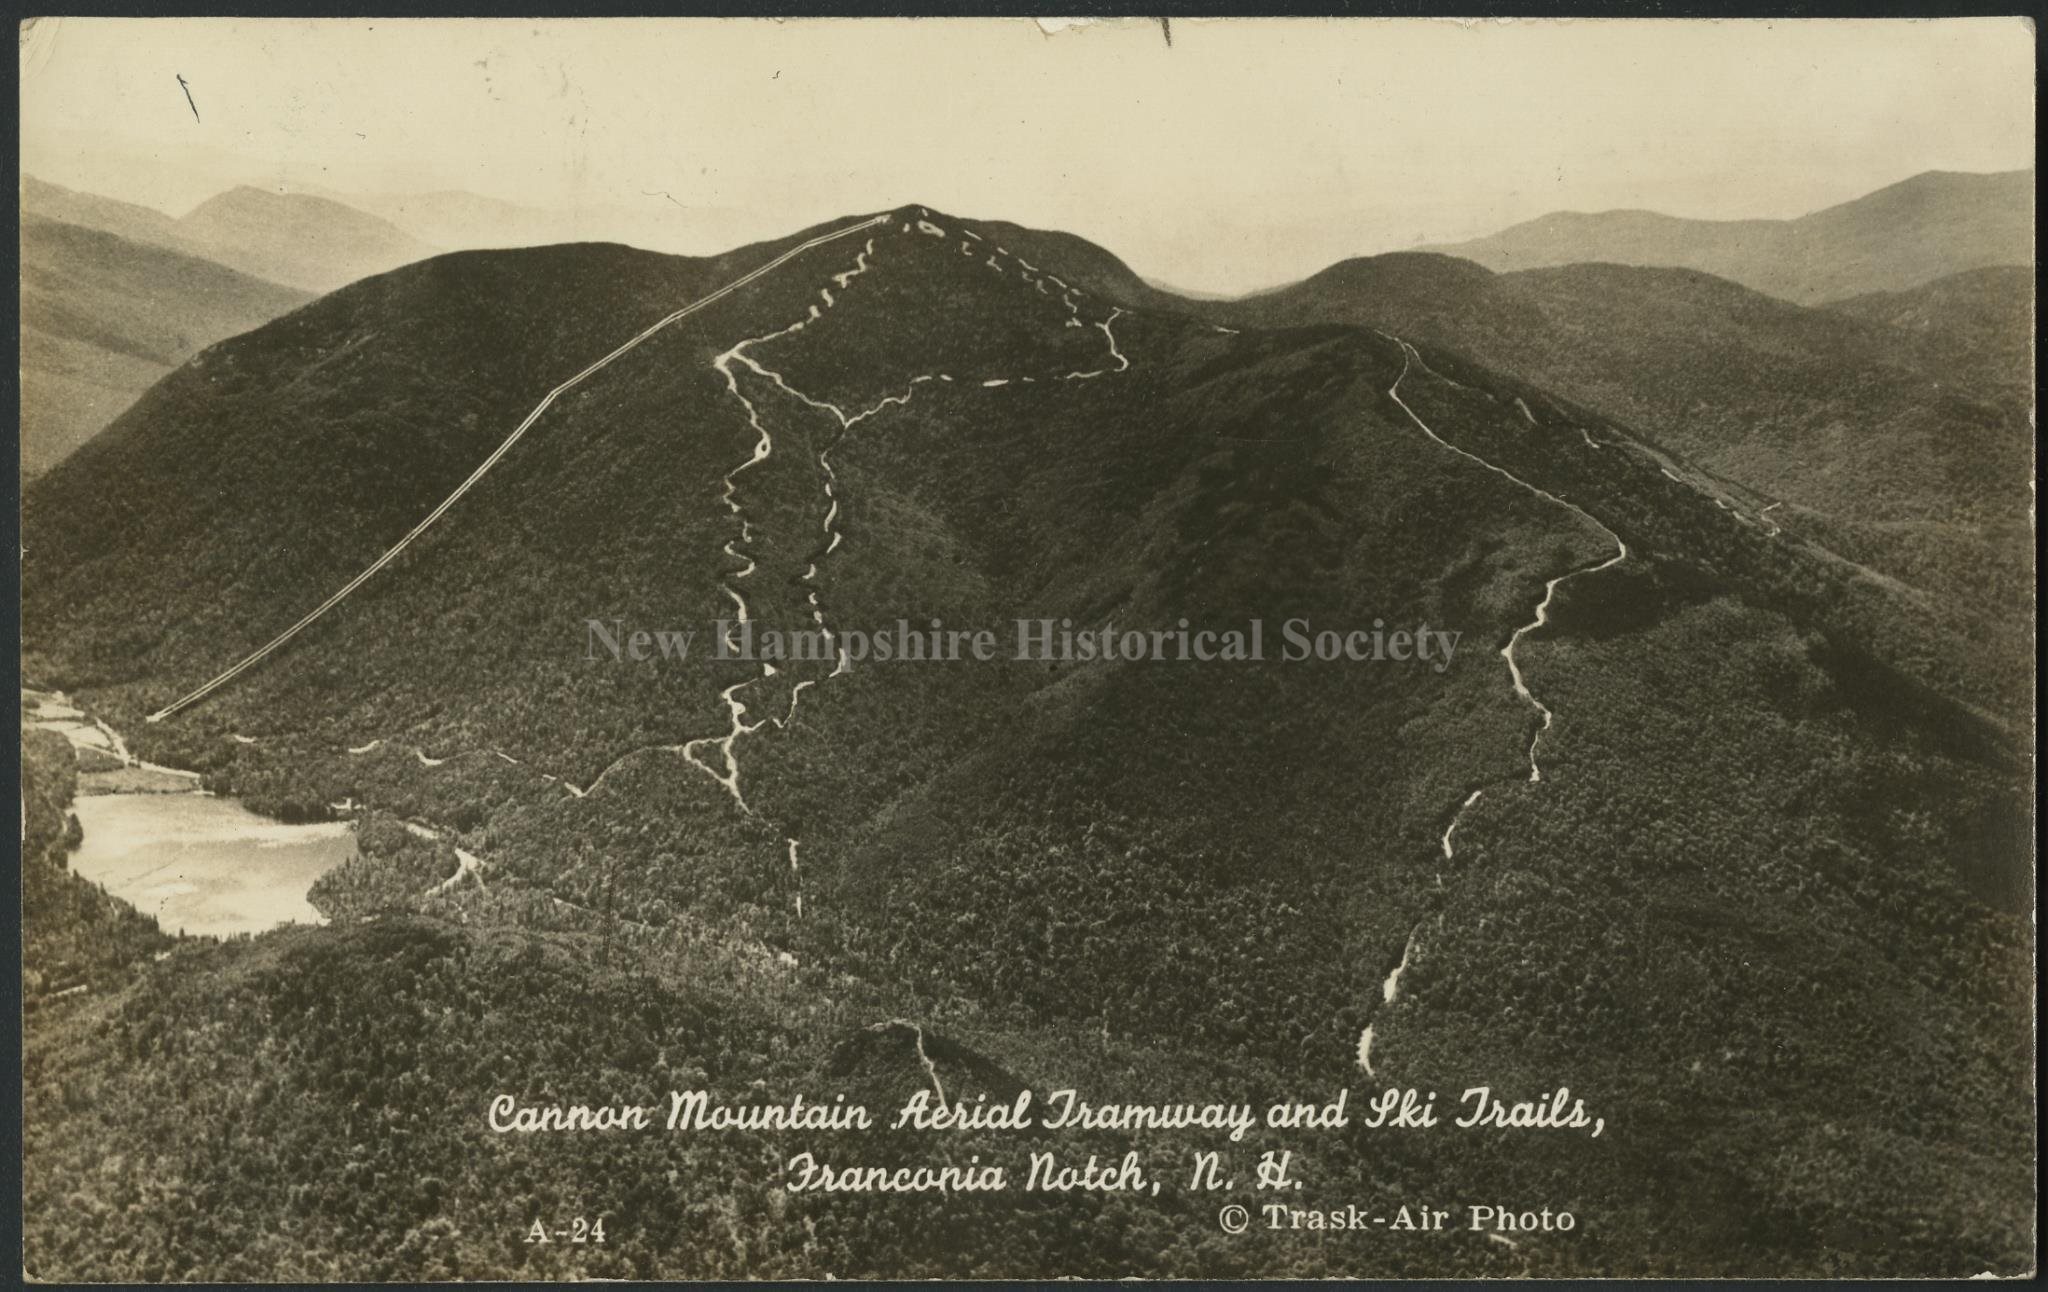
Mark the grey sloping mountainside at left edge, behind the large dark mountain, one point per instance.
(105, 316)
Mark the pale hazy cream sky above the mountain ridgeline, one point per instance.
(1252, 153)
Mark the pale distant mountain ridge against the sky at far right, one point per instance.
(1914, 232)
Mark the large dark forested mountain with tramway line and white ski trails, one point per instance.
(1758, 875)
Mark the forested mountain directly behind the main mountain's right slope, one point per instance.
(1865, 437)
